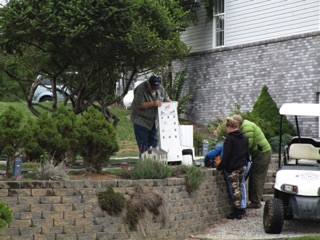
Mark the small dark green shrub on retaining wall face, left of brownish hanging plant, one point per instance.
(111, 202)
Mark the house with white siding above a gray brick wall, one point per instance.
(249, 44)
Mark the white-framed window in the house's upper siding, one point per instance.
(219, 22)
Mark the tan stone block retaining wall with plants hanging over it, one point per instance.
(69, 210)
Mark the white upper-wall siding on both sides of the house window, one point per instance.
(250, 21)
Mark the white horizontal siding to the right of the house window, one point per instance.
(256, 20)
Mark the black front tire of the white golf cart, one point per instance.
(273, 216)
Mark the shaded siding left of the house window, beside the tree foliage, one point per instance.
(199, 36)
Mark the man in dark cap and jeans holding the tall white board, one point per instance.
(148, 96)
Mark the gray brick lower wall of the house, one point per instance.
(288, 66)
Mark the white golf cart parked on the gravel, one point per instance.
(297, 183)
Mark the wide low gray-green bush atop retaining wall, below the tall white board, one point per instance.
(150, 169)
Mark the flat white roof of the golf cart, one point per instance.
(300, 109)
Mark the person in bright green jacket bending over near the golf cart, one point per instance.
(260, 151)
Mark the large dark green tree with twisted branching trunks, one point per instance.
(100, 41)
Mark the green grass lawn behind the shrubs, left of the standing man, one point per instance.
(125, 135)
